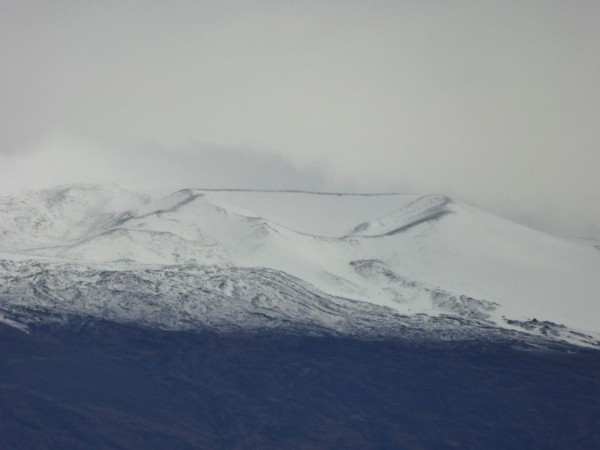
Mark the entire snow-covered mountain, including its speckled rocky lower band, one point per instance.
(345, 263)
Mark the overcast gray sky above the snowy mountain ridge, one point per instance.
(496, 103)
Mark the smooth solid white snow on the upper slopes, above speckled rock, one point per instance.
(414, 254)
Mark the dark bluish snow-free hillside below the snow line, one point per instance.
(99, 385)
